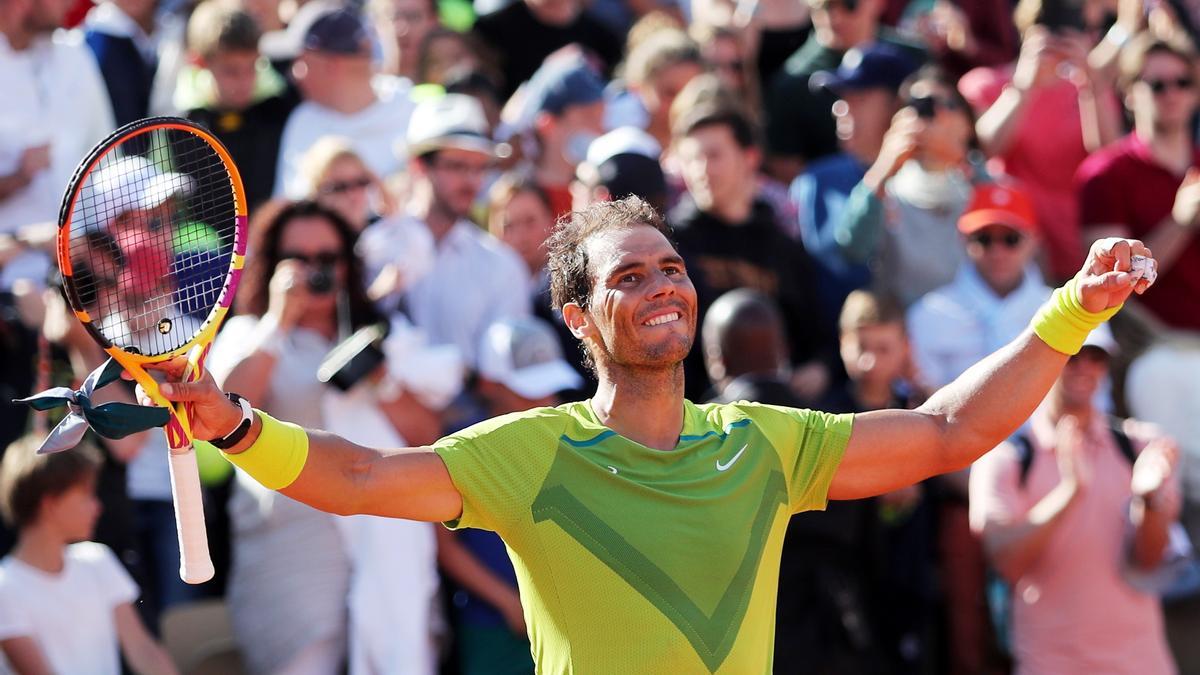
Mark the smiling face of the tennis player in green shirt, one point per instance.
(643, 308)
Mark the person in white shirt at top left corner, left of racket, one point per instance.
(44, 136)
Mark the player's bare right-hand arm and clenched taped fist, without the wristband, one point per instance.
(973, 415)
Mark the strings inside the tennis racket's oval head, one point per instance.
(153, 235)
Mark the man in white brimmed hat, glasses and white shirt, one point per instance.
(476, 279)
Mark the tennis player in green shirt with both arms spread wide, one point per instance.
(646, 530)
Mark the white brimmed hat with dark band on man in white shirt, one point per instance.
(454, 121)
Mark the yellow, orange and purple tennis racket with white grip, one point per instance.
(152, 243)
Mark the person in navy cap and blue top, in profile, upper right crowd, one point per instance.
(867, 85)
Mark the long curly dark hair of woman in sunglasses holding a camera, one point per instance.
(267, 231)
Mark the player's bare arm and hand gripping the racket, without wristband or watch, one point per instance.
(338, 476)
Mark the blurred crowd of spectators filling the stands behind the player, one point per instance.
(869, 195)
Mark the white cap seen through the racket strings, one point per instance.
(129, 184)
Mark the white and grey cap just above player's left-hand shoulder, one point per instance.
(524, 355)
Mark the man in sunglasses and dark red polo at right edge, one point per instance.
(1148, 186)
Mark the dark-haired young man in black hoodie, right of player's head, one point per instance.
(731, 240)
